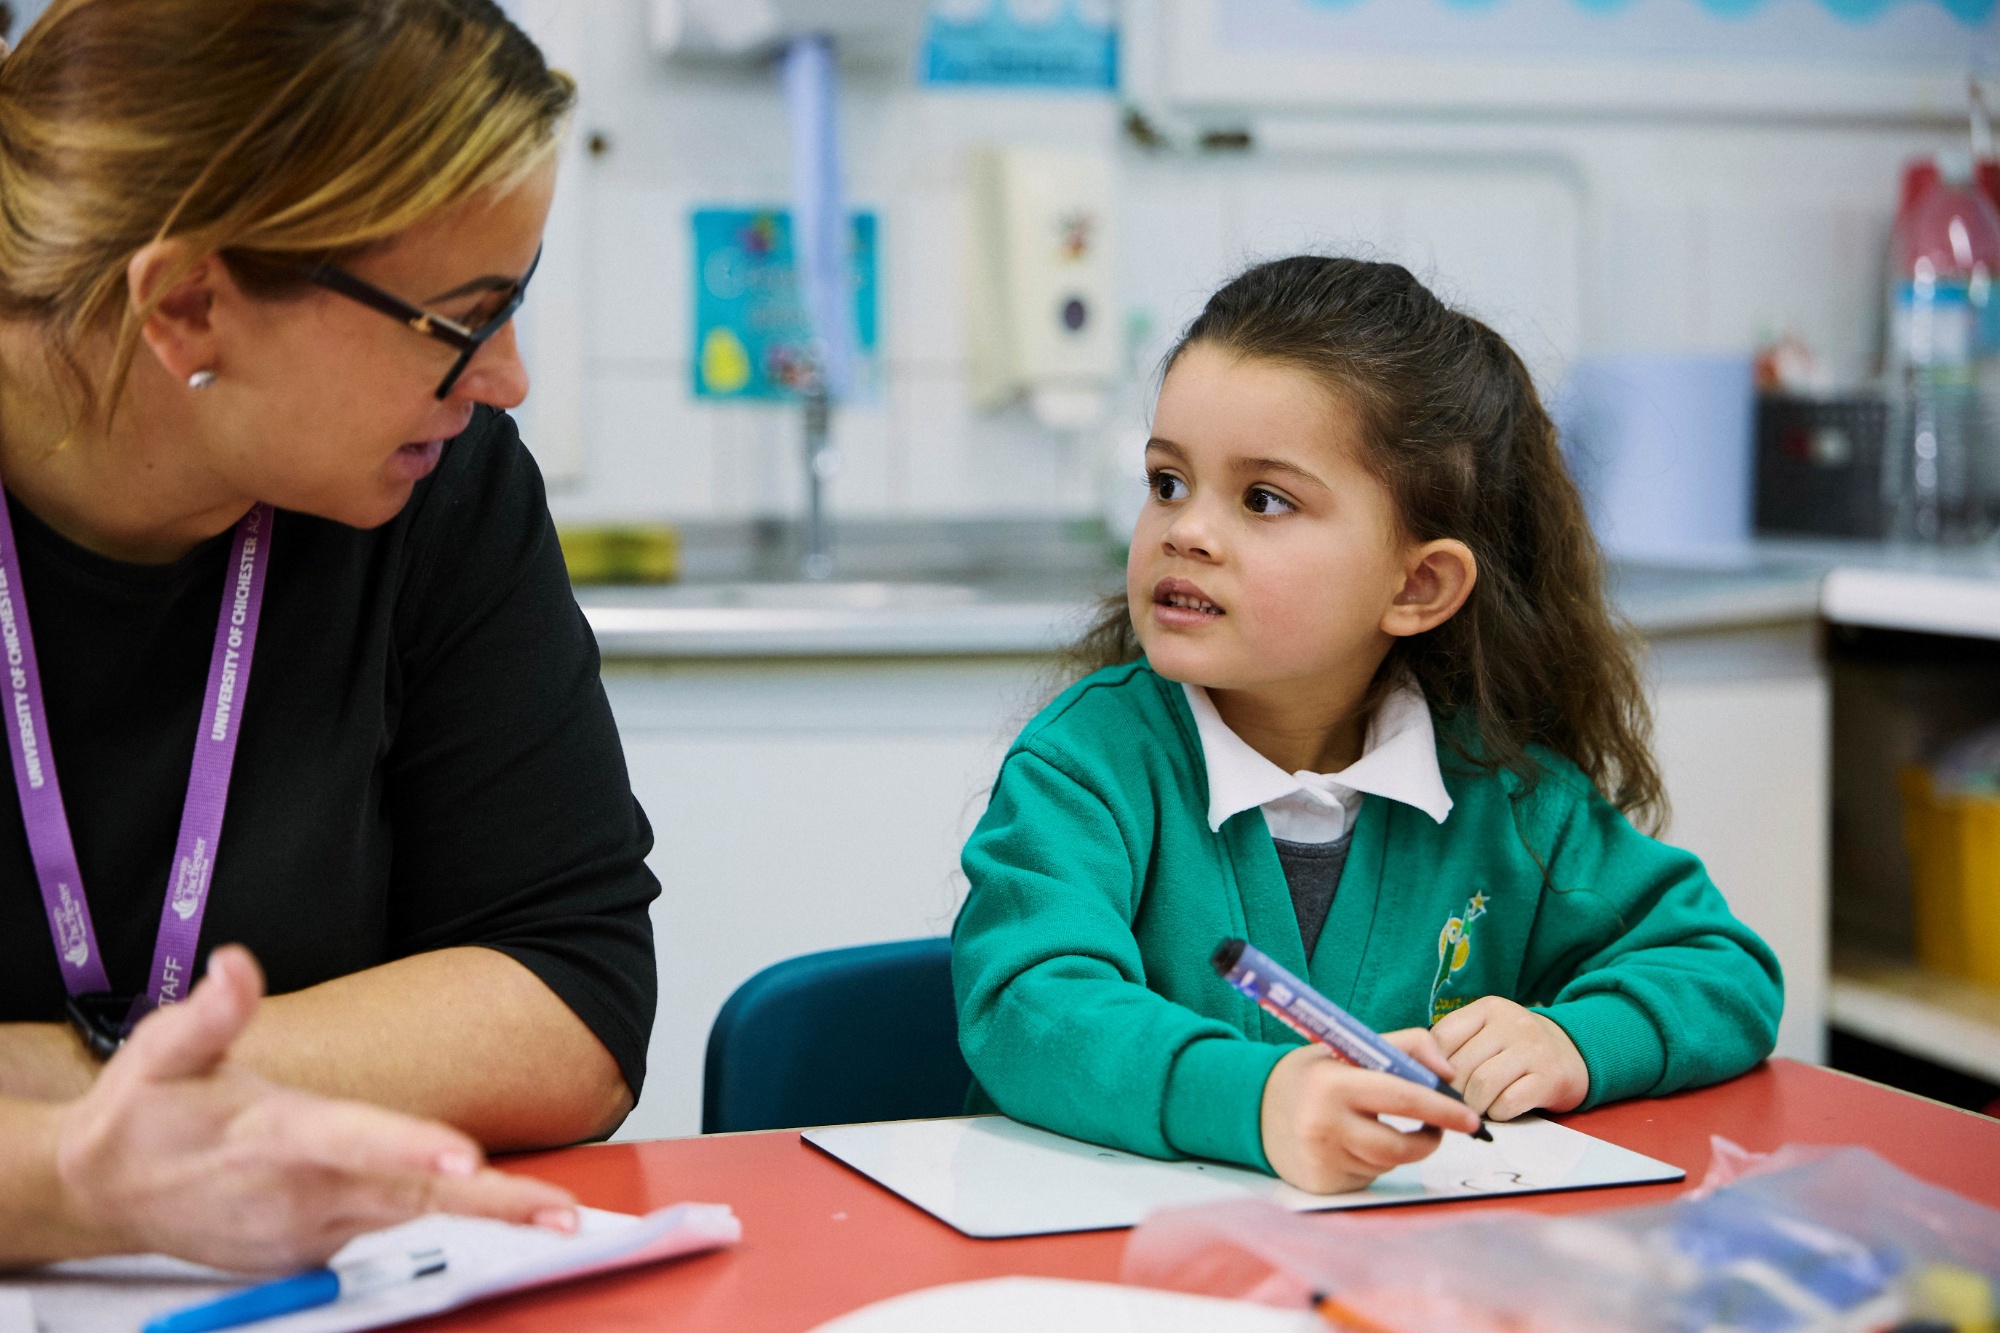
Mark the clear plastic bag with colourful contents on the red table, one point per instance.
(1805, 1240)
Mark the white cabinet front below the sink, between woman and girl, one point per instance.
(799, 808)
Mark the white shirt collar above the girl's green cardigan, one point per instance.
(1399, 762)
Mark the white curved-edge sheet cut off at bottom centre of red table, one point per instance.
(1061, 1306)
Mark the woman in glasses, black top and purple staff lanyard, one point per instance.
(289, 647)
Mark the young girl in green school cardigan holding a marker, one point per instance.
(1365, 708)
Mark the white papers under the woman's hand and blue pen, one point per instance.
(485, 1258)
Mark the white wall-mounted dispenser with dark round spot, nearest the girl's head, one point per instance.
(1041, 297)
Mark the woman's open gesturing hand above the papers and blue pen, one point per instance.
(177, 1150)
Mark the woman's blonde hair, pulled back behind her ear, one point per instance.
(263, 131)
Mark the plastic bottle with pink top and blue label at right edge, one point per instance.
(1943, 361)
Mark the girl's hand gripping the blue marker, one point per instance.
(1321, 1130)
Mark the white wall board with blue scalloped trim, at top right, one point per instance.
(1773, 59)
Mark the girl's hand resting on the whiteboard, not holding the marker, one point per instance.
(1511, 1060)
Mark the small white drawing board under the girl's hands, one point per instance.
(995, 1178)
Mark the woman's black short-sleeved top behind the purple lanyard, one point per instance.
(427, 756)
